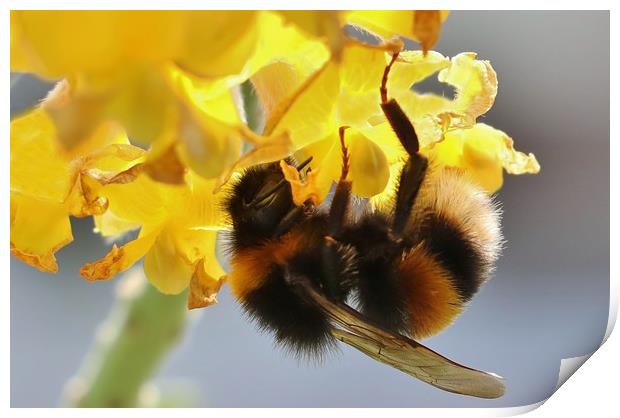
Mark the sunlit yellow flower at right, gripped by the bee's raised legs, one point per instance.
(346, 93)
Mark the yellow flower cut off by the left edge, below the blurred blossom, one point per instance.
(48, 185)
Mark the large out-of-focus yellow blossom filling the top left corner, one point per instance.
(166, 76)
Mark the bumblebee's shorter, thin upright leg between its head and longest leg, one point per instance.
(341, 202)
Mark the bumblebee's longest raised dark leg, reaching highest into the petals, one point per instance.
(415, 168)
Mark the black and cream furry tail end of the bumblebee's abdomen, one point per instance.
(459, 223)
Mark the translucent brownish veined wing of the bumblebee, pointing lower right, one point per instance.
(408, 355)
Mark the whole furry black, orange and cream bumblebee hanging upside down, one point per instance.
(409, 267)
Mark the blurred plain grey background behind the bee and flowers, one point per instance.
(548, 300)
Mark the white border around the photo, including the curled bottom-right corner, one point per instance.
(593, 390)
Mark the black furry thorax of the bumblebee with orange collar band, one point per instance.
(260, 279)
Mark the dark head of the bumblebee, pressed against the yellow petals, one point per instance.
(260, 200)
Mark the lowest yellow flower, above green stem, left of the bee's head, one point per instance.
(178, 232)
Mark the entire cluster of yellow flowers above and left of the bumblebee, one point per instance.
(145, 126)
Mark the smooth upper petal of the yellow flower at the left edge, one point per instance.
(37, 166)
